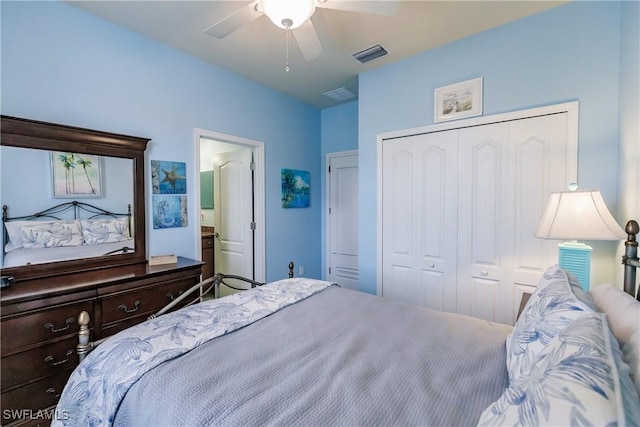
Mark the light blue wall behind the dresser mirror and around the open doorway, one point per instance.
(63, 65)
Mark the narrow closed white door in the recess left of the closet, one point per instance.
(343, 220)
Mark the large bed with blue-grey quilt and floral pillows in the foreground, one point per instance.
(307, 352)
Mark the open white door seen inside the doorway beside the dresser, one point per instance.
(233, 213)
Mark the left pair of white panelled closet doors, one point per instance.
(420, 219)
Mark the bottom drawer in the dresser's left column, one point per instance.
(26, 402)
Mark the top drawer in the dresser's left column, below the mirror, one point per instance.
(41, 326)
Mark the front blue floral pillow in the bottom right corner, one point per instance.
(577, 379)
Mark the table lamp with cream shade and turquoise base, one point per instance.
(578, 215)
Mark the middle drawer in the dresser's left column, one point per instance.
(41, 361)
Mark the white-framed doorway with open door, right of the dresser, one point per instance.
(235, 209)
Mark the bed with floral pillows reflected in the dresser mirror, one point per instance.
(66, 231)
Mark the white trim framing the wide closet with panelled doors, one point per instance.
(572, 108)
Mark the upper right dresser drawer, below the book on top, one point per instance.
(142, 302)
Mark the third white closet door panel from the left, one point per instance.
(482, 196)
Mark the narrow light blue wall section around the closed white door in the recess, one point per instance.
(339, 132)
